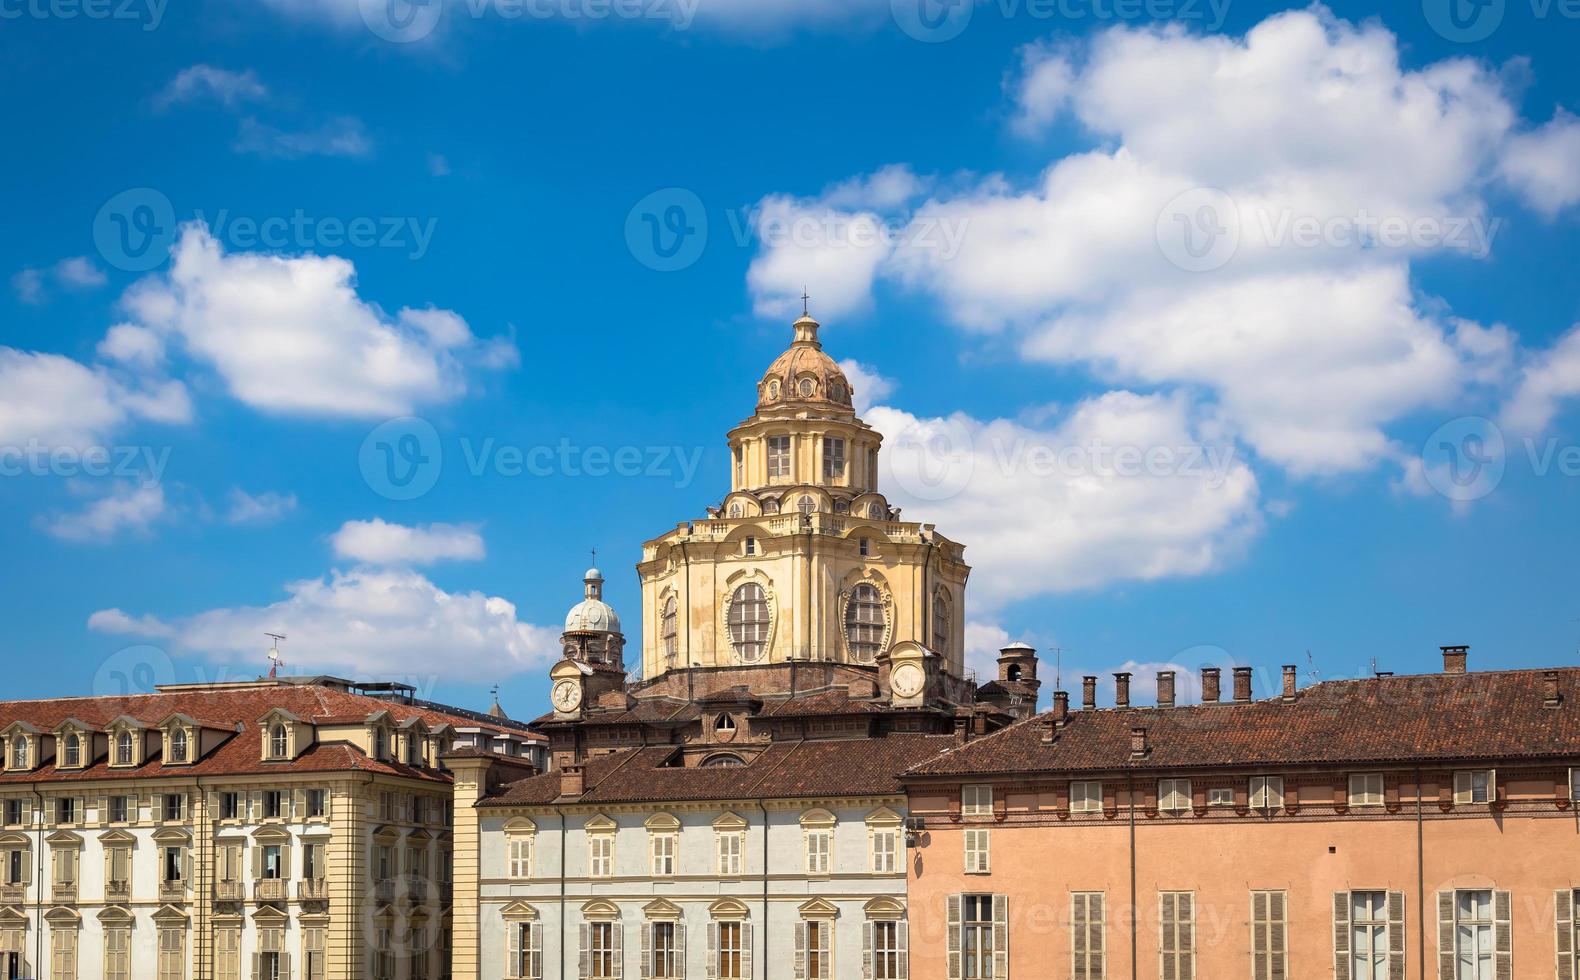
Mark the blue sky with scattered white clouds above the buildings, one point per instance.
(1331, 251)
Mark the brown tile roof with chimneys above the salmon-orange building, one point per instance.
(1432, 717)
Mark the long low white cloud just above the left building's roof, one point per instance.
(363, 624)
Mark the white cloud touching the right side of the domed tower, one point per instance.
(1126, 488)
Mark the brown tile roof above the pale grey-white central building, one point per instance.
(845, 767)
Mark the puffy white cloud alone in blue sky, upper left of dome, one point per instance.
(290, 334)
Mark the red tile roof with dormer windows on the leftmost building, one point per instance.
(230, 710)
